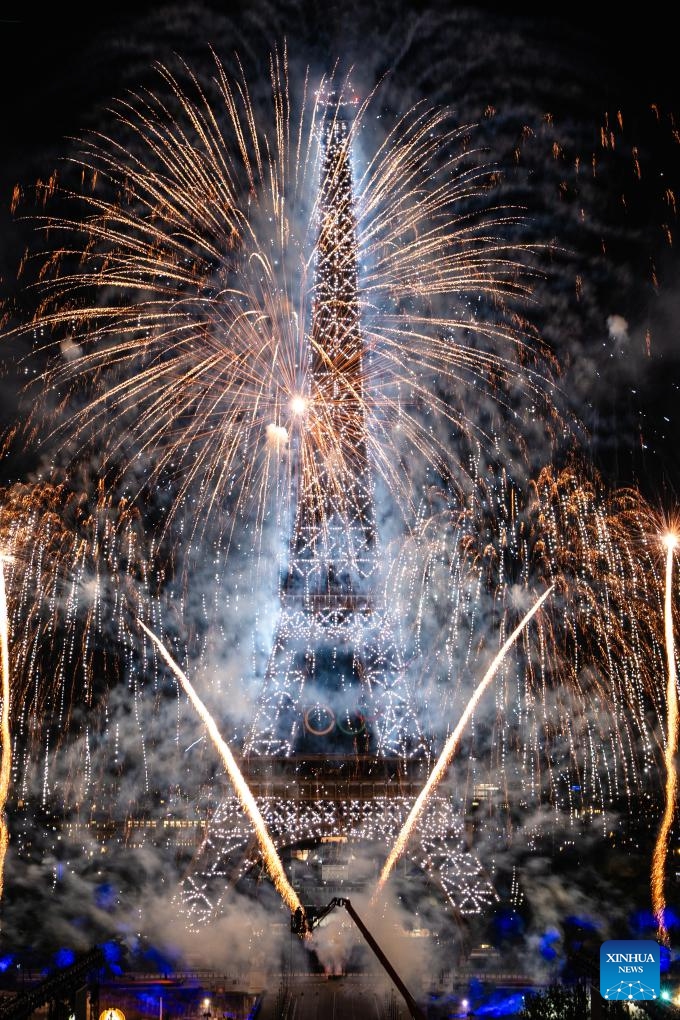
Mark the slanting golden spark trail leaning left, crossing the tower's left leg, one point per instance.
(270, 855)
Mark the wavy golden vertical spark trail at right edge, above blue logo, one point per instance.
(661, 848)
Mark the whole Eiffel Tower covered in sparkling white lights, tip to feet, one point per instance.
(336, 756)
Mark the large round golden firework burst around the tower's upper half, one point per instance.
(192, 293)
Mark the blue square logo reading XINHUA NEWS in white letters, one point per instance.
(630, 971)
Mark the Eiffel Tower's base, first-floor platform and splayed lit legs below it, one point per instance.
(334, 823)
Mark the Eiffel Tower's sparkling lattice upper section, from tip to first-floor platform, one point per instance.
(336, 682)
